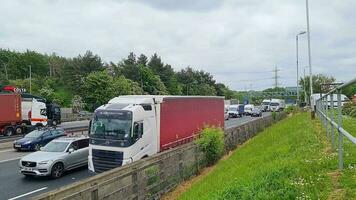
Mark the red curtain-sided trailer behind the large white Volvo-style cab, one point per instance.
(181, 118)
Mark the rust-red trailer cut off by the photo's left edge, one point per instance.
(10, 114)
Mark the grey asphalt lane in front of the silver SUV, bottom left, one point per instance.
(15, 185)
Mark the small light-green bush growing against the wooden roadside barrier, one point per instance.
(211, 142)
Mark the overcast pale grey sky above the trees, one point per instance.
(240, 42)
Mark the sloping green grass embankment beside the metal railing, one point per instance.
(291, 160)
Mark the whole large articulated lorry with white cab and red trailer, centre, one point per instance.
(130, 128)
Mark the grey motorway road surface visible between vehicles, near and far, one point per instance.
(13, 185)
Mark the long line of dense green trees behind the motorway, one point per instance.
(59, 79)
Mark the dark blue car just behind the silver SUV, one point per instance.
(37, 139)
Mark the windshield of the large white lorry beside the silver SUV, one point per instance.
(115, 125)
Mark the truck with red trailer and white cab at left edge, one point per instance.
(17, 118)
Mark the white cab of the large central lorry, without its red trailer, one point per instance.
(120, 124)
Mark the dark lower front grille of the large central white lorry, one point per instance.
(105, 160)
